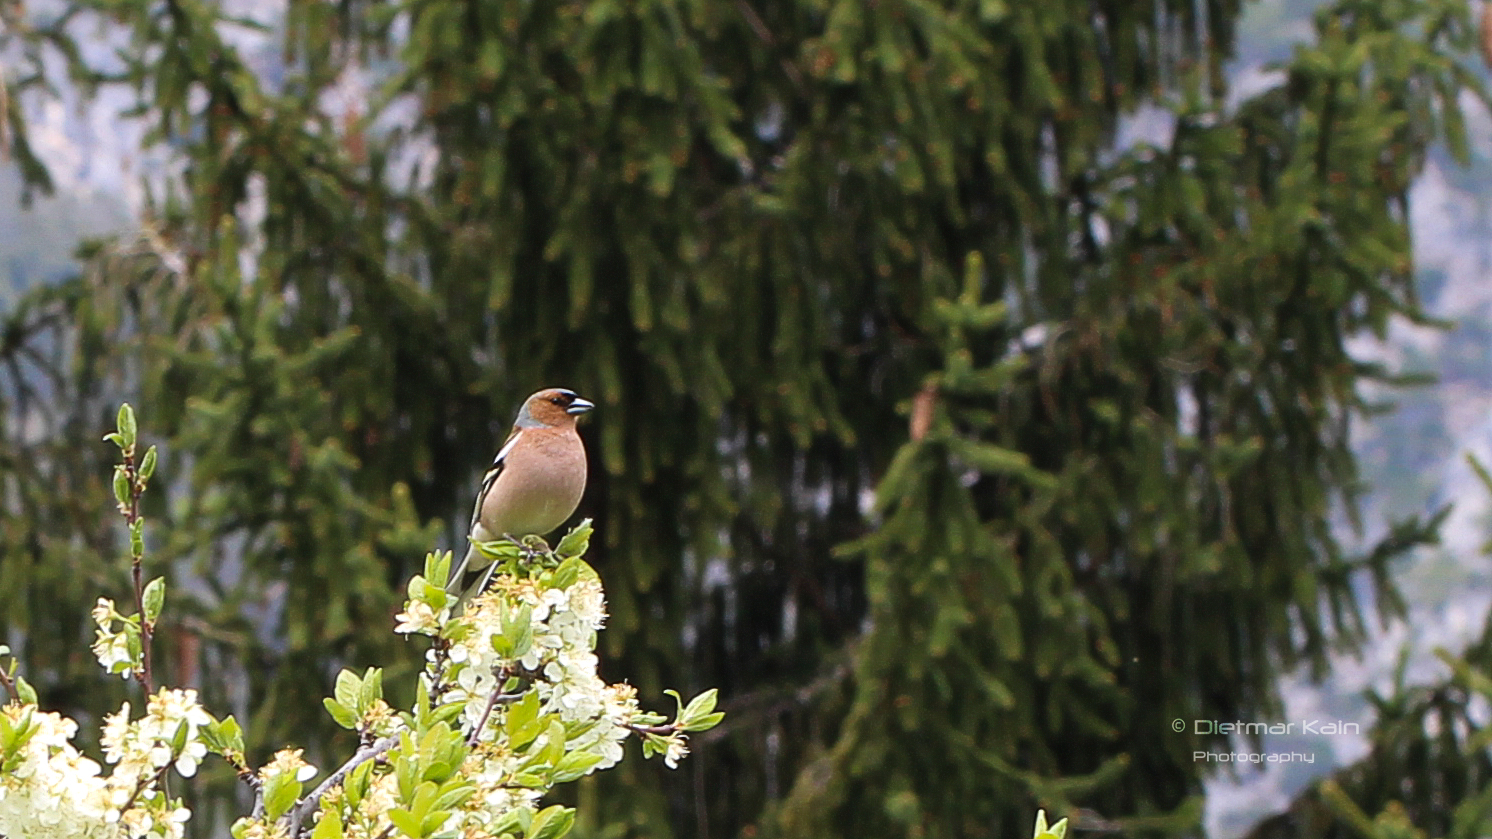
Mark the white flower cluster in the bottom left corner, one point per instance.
(50, 790)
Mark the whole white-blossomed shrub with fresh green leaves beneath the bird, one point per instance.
(510, 705)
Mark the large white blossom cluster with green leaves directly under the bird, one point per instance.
(518, 670)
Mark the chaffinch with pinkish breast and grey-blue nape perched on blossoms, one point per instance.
(535, 483)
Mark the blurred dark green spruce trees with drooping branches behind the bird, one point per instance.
(766, 240)
